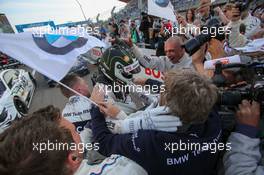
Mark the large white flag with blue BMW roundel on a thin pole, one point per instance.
(51, 55)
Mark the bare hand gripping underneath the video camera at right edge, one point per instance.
(249, 114)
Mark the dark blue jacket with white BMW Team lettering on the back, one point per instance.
(153, 149)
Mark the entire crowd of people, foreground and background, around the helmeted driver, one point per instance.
(177, 130)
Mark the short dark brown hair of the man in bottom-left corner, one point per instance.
(18, 155)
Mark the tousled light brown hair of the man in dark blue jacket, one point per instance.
(189, 95)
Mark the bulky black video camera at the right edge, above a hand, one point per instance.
(252, 90)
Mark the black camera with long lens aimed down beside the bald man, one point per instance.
(210, 30)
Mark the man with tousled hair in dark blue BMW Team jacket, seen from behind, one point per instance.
(188, 96)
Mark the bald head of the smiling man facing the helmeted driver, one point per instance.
(173, 49)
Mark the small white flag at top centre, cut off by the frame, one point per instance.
(161, 8)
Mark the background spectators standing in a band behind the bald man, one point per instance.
(152, 32)
